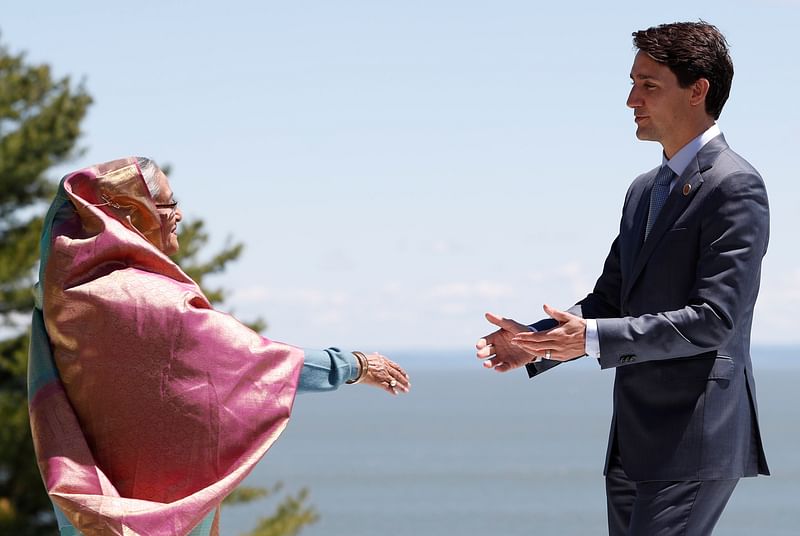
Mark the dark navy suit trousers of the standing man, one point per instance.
(663, 508)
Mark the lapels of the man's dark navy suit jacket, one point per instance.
(679, 199)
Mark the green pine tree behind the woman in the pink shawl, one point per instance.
(40, 118)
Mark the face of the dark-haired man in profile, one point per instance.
(661, 108)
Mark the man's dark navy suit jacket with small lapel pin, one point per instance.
(674, 314)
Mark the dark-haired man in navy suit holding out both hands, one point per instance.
(673, 307)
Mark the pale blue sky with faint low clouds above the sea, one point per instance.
(395, 169)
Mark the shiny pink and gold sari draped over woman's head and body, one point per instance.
(147, 406)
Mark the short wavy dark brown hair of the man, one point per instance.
(692, 50)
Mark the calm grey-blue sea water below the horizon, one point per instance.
(473, 452)
